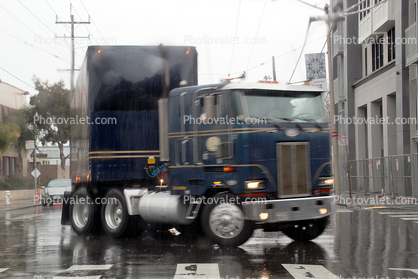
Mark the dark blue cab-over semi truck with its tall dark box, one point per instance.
(228, 157)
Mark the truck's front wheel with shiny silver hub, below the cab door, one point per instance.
(223, 221)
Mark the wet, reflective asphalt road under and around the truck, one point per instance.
(361, 243)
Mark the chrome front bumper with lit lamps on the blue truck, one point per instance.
(273, 211)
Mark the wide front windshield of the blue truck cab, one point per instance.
(285, 105)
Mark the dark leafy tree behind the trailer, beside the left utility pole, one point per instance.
(51, 112)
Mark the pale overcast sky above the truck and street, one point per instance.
(231, 36)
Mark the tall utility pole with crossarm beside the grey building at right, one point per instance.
(334, 135)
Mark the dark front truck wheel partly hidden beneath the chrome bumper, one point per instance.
(306, 230)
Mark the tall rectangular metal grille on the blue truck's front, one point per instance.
(293, 169)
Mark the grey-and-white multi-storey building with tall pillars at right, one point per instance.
(375, 71)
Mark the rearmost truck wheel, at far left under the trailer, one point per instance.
(84, 214)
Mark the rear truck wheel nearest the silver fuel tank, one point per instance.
(115, 218)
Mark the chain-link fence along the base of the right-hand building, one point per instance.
(395, 175)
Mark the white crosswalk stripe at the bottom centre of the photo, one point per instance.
(195, 270)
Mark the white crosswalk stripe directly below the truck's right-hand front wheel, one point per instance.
(304, 271)
